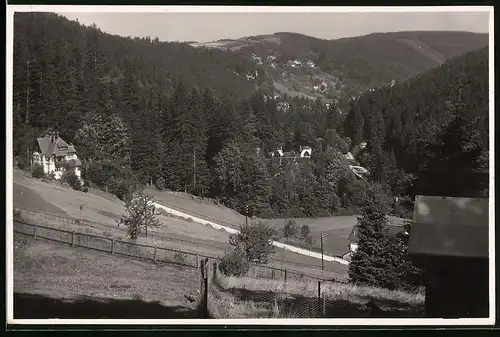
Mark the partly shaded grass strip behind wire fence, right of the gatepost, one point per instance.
(247, 297)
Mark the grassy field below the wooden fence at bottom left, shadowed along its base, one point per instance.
(101, 285)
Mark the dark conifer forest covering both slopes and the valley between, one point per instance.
(141, 111)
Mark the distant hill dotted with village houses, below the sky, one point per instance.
(347, 67)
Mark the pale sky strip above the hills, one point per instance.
(210, 26)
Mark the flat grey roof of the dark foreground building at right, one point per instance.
(447, 226)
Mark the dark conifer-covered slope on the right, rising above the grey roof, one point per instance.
(433, 129)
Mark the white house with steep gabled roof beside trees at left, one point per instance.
(52, 153)
